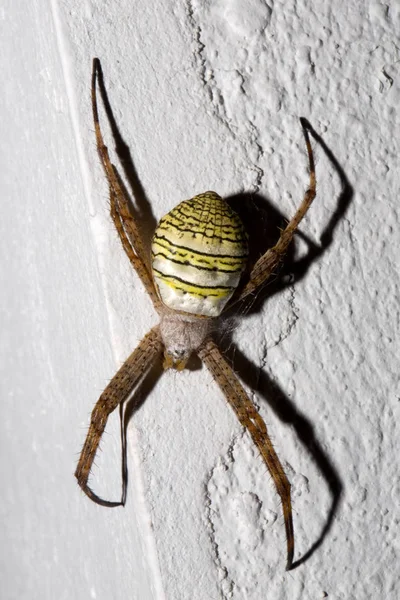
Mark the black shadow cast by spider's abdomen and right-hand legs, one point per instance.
(265, 234)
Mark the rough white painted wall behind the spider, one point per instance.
(207, 96)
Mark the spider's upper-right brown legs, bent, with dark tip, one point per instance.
(269, 262)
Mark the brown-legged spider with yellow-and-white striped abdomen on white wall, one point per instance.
(198, 255)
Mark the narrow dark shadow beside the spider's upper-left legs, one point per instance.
(141, 208)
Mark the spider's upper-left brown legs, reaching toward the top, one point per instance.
(123, 220)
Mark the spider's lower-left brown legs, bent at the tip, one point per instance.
(116, 392)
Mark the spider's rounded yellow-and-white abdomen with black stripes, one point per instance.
(199, 251)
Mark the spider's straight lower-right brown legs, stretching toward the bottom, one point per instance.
(252, 421)
